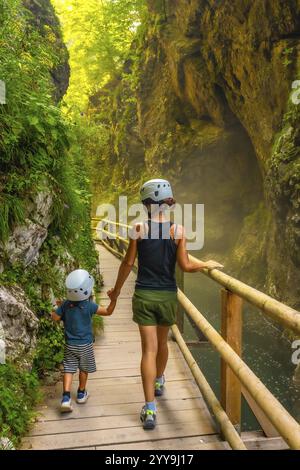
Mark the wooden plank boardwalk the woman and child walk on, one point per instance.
(110, 418)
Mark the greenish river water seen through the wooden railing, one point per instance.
(265, 351)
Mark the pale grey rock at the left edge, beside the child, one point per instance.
(19, 324)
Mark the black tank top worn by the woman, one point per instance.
(157, 258)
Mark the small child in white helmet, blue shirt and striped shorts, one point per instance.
(76, 313)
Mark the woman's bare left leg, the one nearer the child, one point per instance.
(148, 362)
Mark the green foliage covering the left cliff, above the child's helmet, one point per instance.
(38, 147)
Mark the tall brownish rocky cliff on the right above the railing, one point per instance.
(213, 113)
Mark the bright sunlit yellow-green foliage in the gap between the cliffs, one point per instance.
(99, 35)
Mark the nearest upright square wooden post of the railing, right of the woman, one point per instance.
(231, 325)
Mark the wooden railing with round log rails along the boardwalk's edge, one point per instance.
(236, 377)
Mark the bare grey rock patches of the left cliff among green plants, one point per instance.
(18, 322)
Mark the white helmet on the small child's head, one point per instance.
(79, 284)
